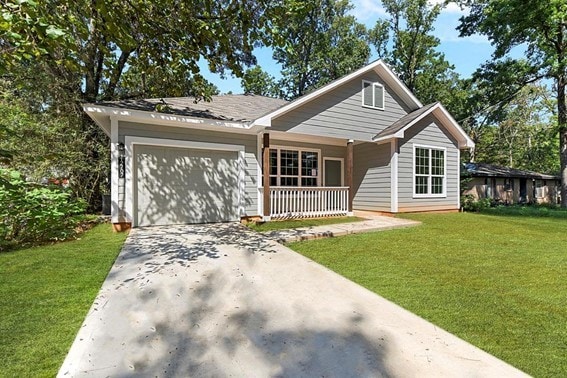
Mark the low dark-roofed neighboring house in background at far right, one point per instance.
(509, 185)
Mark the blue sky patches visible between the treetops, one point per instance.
(466, 54)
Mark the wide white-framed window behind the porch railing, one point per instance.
(294, 167)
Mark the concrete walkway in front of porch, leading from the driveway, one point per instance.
(373, 222)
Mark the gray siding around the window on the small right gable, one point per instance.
(427, 133)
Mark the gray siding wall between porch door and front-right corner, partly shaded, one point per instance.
(371, 177)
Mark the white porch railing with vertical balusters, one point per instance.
(308, 202)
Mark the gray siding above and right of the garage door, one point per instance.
(179, 133)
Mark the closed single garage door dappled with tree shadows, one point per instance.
(179, 185)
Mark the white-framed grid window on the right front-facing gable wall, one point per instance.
(429, 172)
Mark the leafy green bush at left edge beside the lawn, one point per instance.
(34, 214)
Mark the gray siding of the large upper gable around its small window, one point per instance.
(339, 113)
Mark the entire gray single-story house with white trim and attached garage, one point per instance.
(361, 142)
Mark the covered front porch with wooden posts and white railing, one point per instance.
(306, 182)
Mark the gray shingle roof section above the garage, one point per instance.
(237, 108)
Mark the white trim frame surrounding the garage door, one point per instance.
(130, 187)
